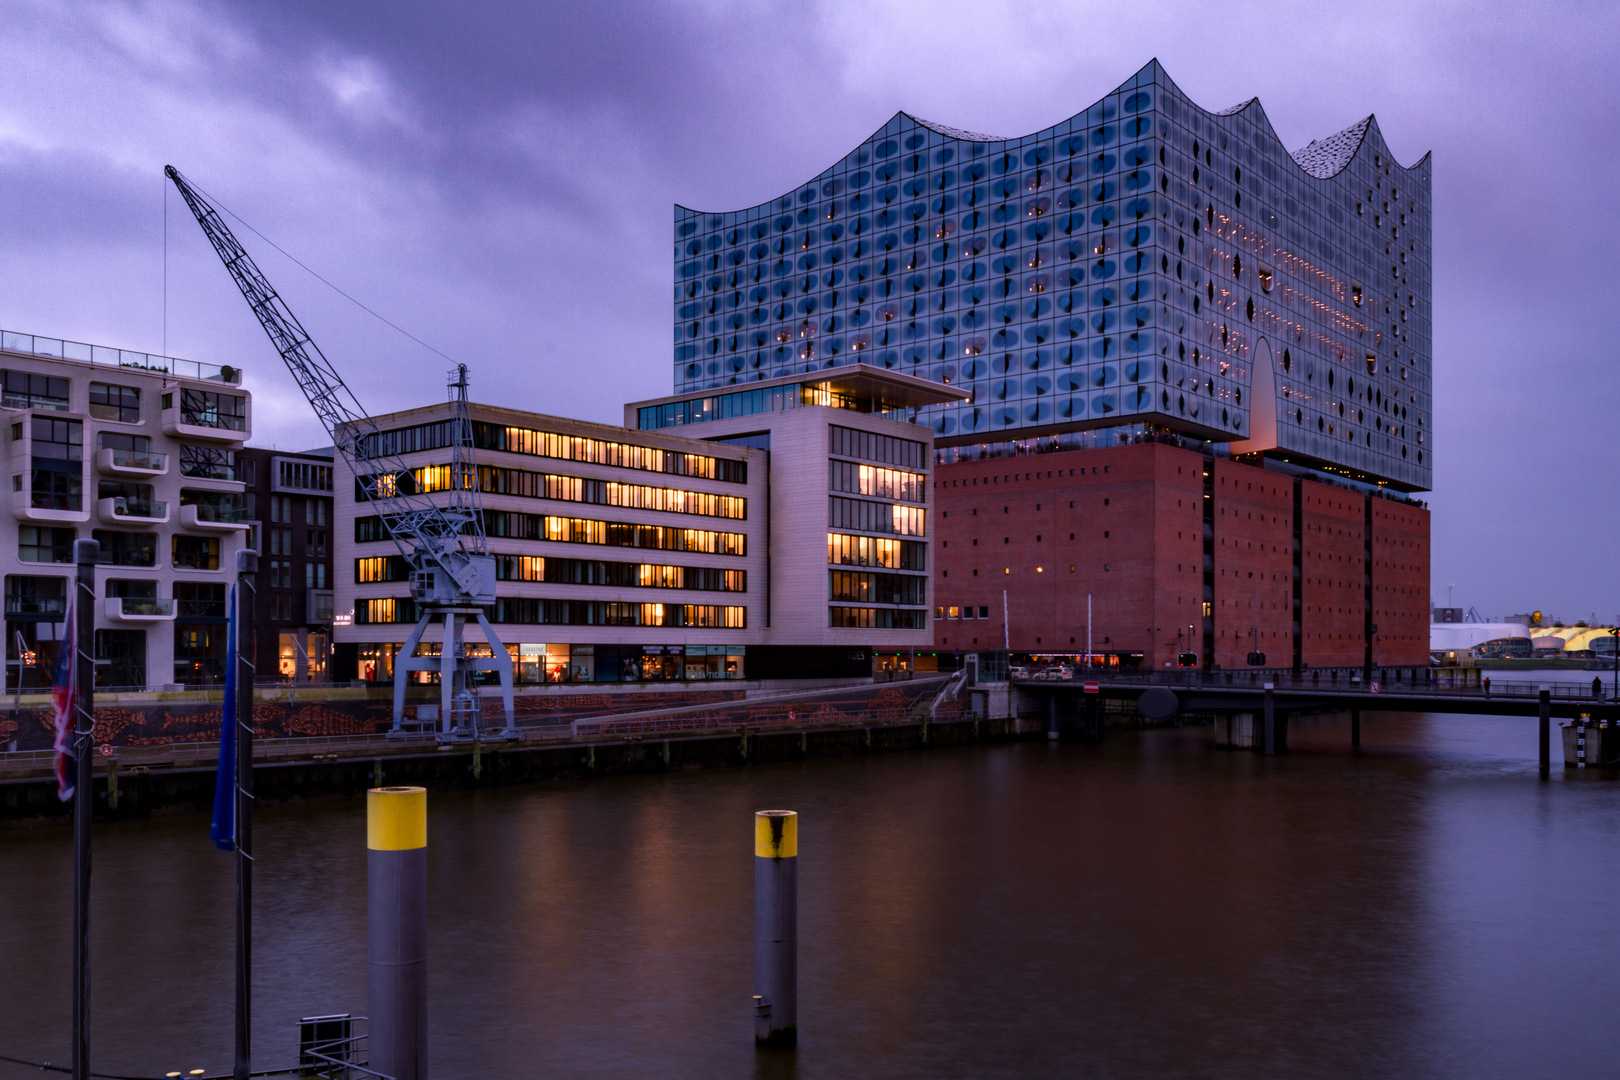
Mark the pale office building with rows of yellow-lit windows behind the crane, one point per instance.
(683, 546)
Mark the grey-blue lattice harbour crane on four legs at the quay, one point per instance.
(453, 576)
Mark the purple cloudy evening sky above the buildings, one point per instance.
(498, 179)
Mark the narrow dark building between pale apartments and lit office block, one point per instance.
(289, 508)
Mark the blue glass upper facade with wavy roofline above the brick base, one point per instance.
(1145, 265)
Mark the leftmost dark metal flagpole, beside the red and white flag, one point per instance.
(87, 555)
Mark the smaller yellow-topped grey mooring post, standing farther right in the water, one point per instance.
(777, 929)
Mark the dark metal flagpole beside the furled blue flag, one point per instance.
(247, 571)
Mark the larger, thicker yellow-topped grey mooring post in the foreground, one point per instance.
(398, 930)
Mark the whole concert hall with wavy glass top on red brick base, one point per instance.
(1195, 370)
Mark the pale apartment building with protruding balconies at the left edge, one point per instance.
(142, 454)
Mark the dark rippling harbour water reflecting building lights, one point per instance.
(1426, 909)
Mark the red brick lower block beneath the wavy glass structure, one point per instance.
(1172, 546)
